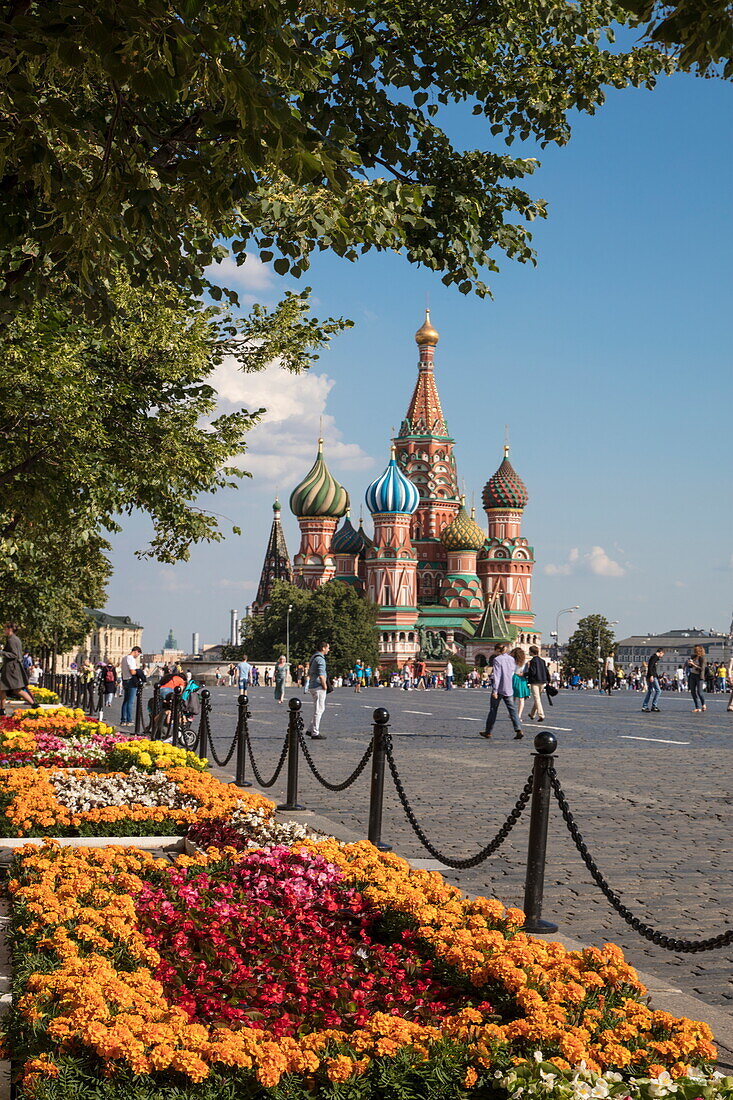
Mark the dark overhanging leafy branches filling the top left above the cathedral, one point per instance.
(134, 136)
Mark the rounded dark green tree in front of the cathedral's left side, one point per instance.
(333, 613)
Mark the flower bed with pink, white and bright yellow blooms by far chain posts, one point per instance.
(65, 739)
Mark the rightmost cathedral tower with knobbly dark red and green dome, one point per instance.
(507, 562)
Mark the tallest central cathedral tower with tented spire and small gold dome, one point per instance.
(425, 454)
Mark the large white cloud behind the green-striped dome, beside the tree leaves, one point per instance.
(282, 447)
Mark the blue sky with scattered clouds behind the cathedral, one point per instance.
(610, 362)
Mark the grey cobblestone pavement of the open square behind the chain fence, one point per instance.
(651, 794)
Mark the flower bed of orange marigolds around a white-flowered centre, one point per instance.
(74, 802)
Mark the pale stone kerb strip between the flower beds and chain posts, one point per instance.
(675, 1002)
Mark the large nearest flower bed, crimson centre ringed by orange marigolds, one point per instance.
(322, 971)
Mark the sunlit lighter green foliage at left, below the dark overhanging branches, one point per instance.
(96, 423)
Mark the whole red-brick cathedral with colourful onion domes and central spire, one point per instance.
(443, 585)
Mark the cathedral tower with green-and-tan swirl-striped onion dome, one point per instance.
(319, 503)
